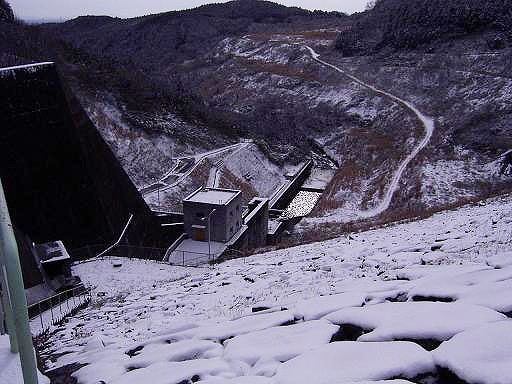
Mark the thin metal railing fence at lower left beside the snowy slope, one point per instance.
(54, 309)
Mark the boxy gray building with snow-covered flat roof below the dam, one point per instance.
(219, 208)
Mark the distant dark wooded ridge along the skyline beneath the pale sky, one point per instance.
(156, 42)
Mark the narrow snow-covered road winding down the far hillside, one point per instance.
(427, 122)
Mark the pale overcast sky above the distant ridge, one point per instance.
(66, 9)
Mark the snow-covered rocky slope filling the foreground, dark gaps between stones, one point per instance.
(418, 301)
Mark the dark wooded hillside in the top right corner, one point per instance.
(409, 24)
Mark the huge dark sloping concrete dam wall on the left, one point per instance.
(61, 179)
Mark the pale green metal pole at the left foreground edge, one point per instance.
(15, 287)
